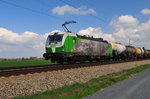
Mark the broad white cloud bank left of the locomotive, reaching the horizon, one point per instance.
(21, 45)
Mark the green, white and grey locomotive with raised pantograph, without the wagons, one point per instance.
(70, 47)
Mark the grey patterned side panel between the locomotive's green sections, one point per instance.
(90, 47)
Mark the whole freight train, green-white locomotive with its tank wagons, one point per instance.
(70, 47)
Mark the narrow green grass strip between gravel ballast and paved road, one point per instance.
(80, 90)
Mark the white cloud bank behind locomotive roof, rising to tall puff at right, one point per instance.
(125, 28)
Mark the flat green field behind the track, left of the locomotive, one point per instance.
(23, 63)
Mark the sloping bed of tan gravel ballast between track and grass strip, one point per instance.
(39, 82)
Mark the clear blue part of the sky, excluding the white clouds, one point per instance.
(20, 20)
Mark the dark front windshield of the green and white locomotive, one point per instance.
(55, 38)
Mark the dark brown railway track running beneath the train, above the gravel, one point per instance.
(13, 71)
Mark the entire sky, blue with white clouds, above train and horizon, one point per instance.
(25, 24)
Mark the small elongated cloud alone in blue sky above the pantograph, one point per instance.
(61, 10)
